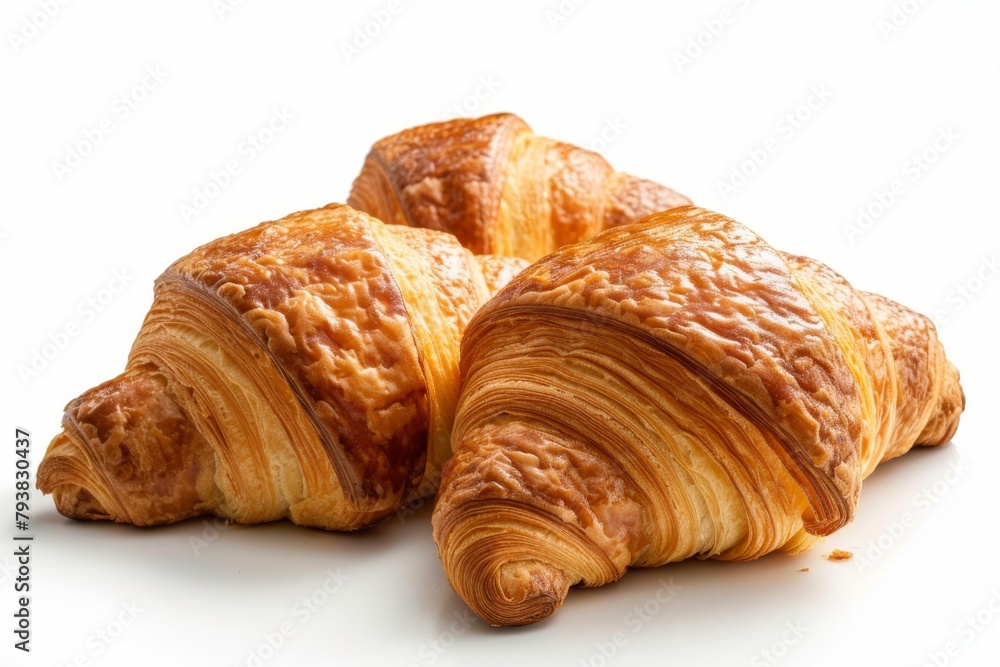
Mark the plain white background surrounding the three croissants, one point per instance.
(607, 67)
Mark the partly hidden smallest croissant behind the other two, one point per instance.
(499, 187)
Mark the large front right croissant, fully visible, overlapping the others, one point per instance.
(672, 388)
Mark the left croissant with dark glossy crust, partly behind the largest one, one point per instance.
(305, 368)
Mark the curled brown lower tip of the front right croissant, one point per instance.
(522, 481)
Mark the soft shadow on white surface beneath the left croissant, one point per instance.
(204, 558)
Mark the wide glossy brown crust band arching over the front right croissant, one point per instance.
(735, 316)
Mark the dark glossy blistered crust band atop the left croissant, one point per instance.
(317, 291)
